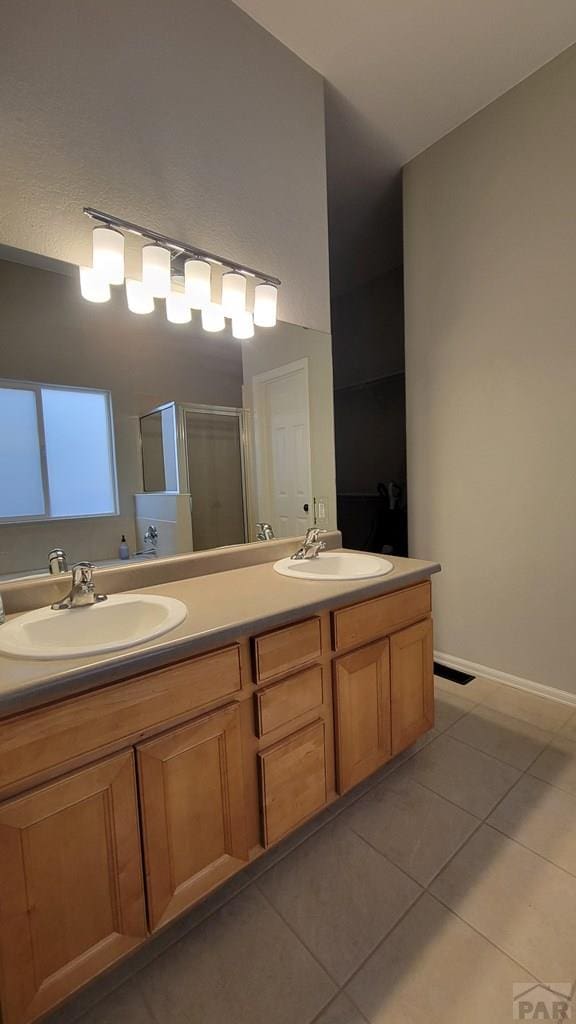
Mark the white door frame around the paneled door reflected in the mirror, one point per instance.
(265, 501)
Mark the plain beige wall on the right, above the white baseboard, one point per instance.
(490, 234)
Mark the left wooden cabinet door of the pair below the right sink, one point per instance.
(362, 693)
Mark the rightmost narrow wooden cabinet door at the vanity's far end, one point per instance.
(413, 685)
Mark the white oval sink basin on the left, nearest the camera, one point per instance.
(122, 621)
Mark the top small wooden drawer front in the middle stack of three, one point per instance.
(282, 652)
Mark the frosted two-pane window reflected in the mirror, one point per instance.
(57, 453)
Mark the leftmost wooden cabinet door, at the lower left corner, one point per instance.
(71, 887)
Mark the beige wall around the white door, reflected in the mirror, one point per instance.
(287, 345)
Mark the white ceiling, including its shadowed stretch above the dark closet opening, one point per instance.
(402, 75)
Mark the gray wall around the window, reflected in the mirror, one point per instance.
(50, 334)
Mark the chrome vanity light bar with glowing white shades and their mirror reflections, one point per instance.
(161, 258)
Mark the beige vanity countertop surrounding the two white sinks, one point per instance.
(222, 608)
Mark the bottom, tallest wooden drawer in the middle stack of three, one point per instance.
(293, 781)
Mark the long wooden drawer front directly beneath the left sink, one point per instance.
(43, 740)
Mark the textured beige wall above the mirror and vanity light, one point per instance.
(186, 117)
